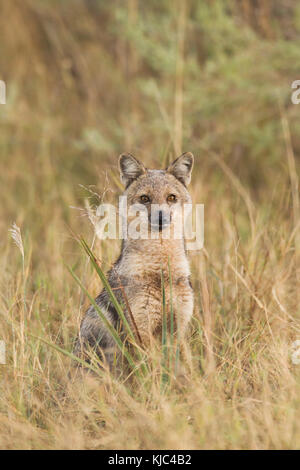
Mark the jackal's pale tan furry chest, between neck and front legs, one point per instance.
(158, 280)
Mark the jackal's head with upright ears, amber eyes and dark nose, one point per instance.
(159, 193)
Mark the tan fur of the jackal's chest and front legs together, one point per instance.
(145, 299)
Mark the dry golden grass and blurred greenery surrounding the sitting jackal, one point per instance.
(87, 80)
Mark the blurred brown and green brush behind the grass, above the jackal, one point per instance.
(88, 79)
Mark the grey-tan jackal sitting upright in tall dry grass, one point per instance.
(137, 274)
